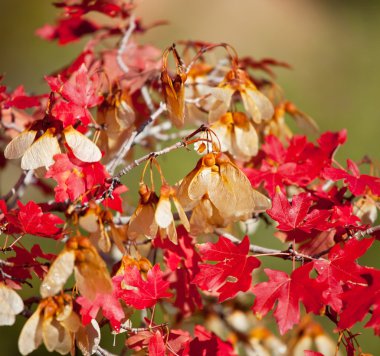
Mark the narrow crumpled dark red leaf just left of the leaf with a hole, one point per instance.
(182, 260)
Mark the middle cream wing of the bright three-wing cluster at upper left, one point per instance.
(41, 152)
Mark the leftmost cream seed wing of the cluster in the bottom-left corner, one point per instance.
(31, 337)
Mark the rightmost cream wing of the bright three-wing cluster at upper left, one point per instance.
(82, 147)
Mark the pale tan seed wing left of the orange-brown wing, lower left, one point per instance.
(58, 274)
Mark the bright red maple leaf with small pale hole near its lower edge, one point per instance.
(232, 273)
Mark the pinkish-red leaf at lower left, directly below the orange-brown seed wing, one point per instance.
(109, 303)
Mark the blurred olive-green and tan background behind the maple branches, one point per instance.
(333, 47)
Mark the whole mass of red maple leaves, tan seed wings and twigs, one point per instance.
(179, 273)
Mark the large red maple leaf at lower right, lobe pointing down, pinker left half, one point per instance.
(288, 290)
